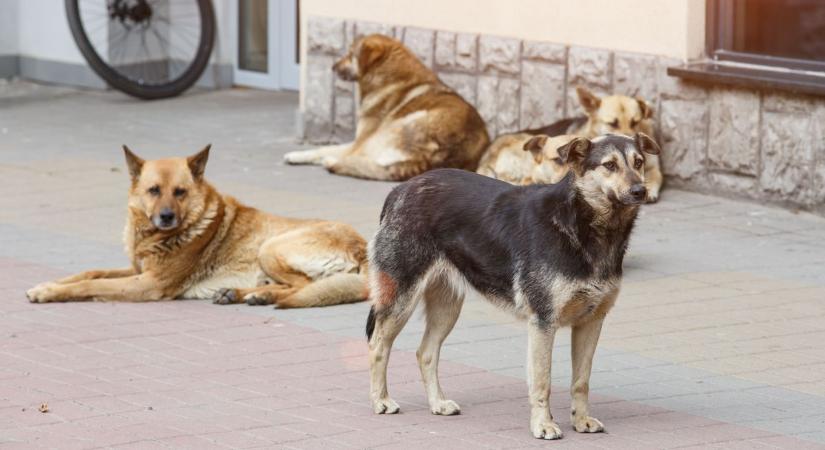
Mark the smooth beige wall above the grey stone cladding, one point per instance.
(674, 28)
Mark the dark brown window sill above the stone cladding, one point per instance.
(751, 76)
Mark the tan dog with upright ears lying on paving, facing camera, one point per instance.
(184, 239)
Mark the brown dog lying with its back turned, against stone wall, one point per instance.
(408, 120)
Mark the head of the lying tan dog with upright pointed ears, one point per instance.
(166, 190)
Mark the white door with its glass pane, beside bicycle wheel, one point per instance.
(265, 43)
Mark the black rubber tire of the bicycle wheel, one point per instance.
(145, 91)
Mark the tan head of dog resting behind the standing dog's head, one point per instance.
(616, 114)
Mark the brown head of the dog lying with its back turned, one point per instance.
(377, 56)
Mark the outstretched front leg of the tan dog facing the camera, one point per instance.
(143, 287)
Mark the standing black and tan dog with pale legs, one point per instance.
(551, 253)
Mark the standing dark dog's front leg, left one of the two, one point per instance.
(539, 359)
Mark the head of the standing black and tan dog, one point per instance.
(610, 167)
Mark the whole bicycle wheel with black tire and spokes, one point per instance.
(149, 49)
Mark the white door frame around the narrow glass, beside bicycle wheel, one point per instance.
(283, 71)
